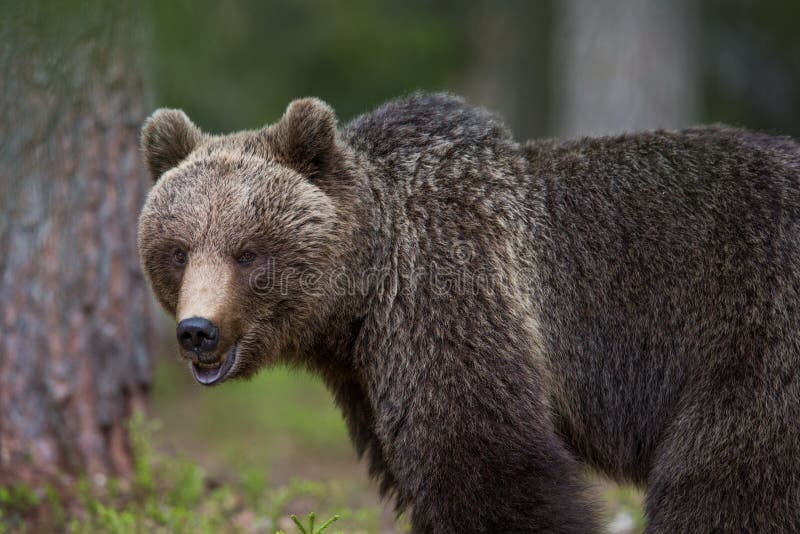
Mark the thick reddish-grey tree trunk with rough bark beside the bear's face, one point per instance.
(74, 347)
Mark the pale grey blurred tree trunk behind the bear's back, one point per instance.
(624, 65)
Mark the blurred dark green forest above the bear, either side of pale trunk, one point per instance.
(236, 64)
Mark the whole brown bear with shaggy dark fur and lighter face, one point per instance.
(495, 317)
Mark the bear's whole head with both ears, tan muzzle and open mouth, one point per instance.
(239, 232)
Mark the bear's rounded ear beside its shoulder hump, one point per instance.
(305, 137)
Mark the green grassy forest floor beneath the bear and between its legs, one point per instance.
(243, 457)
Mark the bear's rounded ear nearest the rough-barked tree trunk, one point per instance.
(168, 136)
